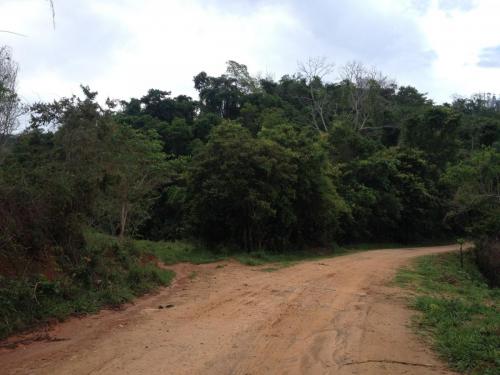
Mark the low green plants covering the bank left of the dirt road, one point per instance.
(109, 274)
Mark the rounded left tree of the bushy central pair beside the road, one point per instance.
(240, 190)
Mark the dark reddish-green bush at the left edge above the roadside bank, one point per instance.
(40, 203)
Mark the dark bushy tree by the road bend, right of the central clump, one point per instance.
(392, 195)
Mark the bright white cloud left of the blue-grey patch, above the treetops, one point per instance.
(167, 45)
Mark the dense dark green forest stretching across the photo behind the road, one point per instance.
(254, 163)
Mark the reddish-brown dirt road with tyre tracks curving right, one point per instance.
(333, 316)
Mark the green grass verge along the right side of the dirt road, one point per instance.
(460, 314)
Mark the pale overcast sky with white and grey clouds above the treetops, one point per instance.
(121, 48)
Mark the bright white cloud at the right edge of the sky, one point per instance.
(459, 36)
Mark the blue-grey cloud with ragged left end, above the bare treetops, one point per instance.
(344, 30)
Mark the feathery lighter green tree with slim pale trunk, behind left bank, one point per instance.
(115, 169)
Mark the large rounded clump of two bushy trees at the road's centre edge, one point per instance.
(272, 191)
